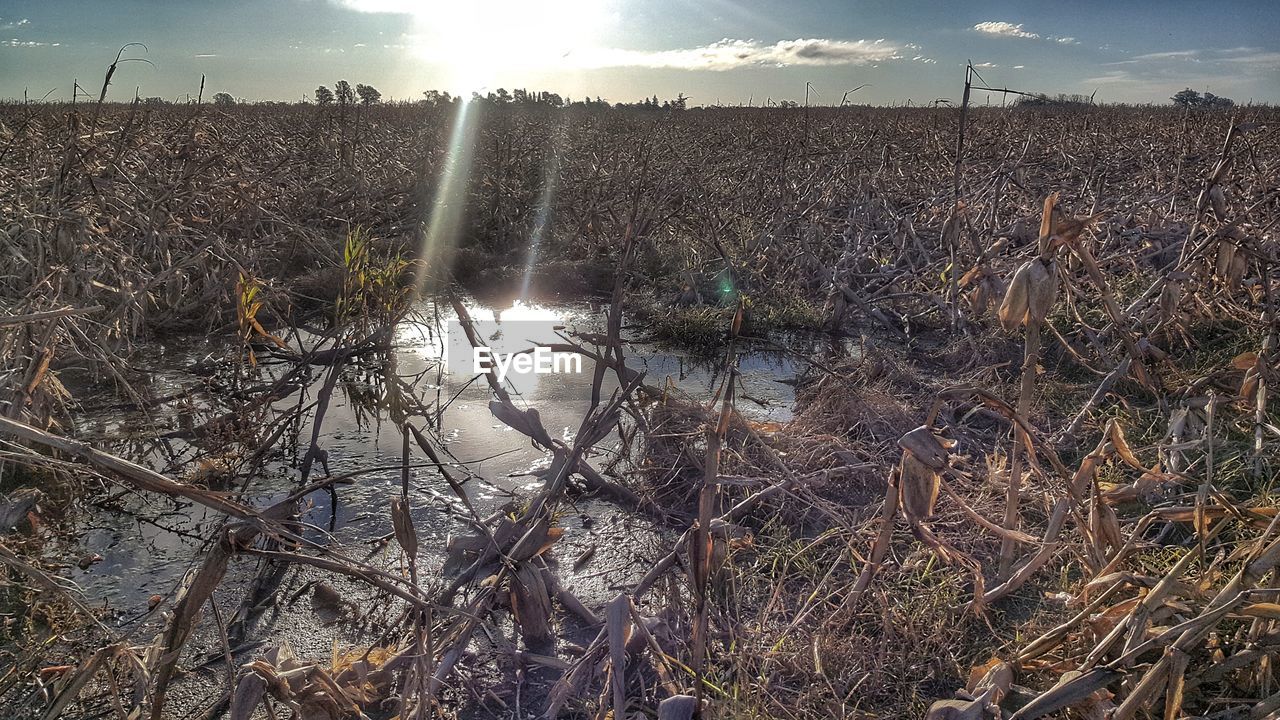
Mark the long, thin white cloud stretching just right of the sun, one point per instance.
(733, 54)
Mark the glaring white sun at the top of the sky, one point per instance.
(481, 42)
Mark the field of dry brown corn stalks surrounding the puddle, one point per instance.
(1028, 470)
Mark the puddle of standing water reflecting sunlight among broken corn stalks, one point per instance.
(148, 544)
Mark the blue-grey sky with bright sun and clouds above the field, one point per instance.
(715, 52)
